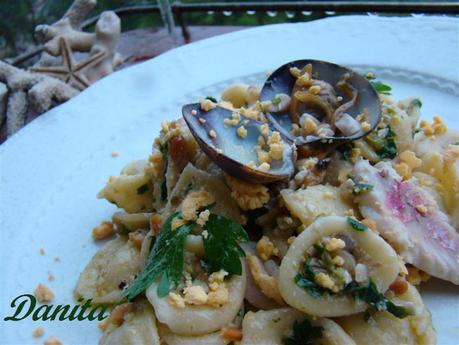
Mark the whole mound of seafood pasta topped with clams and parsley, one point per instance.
(225, 260)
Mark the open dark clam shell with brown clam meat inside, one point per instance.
(356, 88)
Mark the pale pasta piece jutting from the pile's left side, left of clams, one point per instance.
(132, 189)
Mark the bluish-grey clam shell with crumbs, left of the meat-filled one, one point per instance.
(234, 154)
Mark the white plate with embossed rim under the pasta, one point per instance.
(52, 169)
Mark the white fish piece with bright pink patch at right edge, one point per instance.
(409, 218)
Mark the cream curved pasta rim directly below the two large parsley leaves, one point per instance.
(199, 319)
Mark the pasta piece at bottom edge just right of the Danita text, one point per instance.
(138, 328)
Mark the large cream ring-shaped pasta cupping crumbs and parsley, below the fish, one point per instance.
(378, 256)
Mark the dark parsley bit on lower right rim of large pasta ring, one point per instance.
(369, 293)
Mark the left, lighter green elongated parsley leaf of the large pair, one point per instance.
(166, 260)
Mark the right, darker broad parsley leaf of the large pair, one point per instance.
(221, 245)
